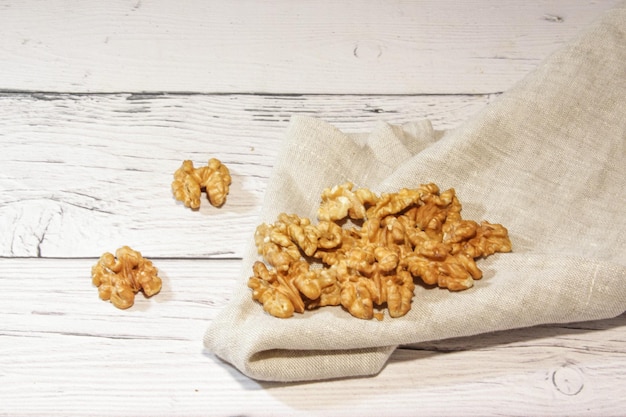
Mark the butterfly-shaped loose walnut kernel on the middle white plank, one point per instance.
(189, 182)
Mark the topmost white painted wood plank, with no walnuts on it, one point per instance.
(278, 46)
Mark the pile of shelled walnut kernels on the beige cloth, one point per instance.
(371, 262)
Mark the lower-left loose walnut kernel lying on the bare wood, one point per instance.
(118, 280)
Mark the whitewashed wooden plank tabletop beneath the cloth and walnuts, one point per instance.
(101, 101)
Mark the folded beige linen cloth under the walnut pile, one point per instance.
(546, 159)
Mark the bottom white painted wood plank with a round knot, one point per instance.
(65, 352)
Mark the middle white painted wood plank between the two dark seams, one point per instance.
(84, 174)
